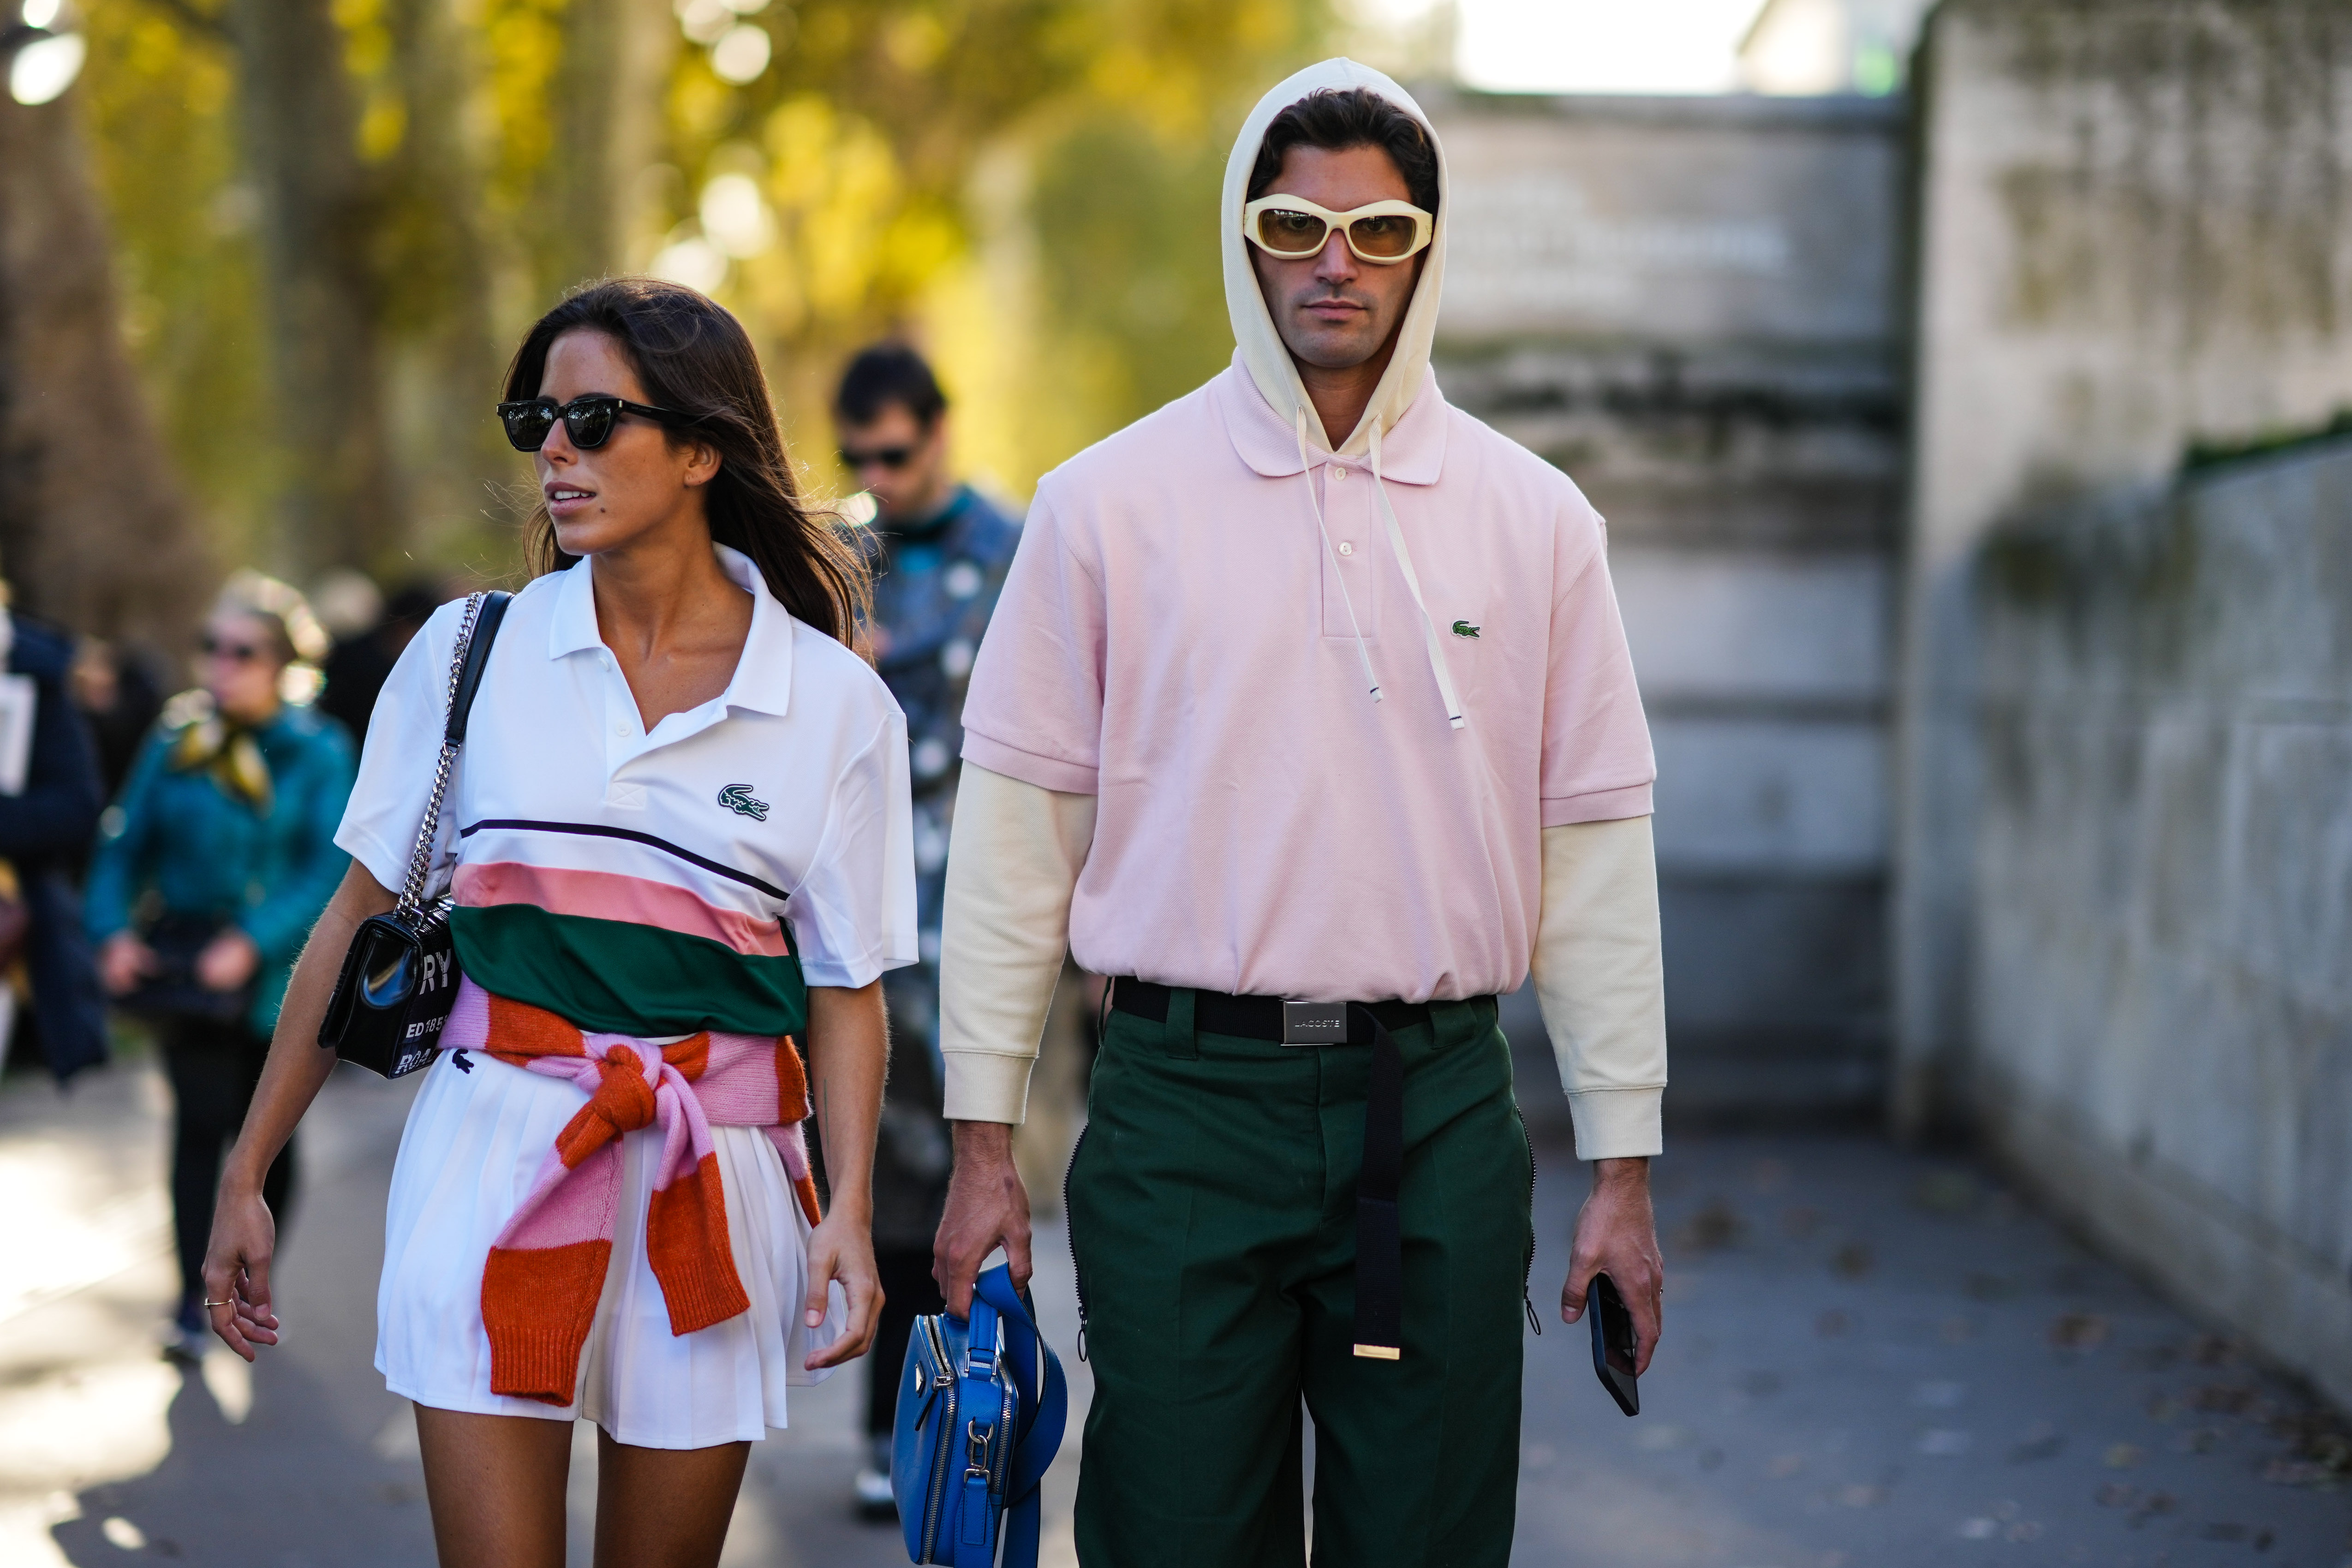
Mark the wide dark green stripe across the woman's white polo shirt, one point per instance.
(627, 979)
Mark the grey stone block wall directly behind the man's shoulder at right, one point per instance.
(1695, 309)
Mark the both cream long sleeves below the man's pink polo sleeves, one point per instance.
(1015, 859)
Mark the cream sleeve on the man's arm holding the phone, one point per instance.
(1601, 981)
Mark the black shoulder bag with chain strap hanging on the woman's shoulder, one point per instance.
(399, 977)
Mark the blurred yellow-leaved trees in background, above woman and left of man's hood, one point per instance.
(335, 217)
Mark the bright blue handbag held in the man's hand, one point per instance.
(982, 1407)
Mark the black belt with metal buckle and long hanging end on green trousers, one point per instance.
(1379, 1242)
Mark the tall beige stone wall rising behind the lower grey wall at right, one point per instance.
(2134, 236)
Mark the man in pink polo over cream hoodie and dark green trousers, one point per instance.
(1307, 716)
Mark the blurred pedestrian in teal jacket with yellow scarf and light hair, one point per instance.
(208, 876)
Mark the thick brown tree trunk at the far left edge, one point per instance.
(93, 525)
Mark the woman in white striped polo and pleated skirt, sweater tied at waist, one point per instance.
(681, 850)
